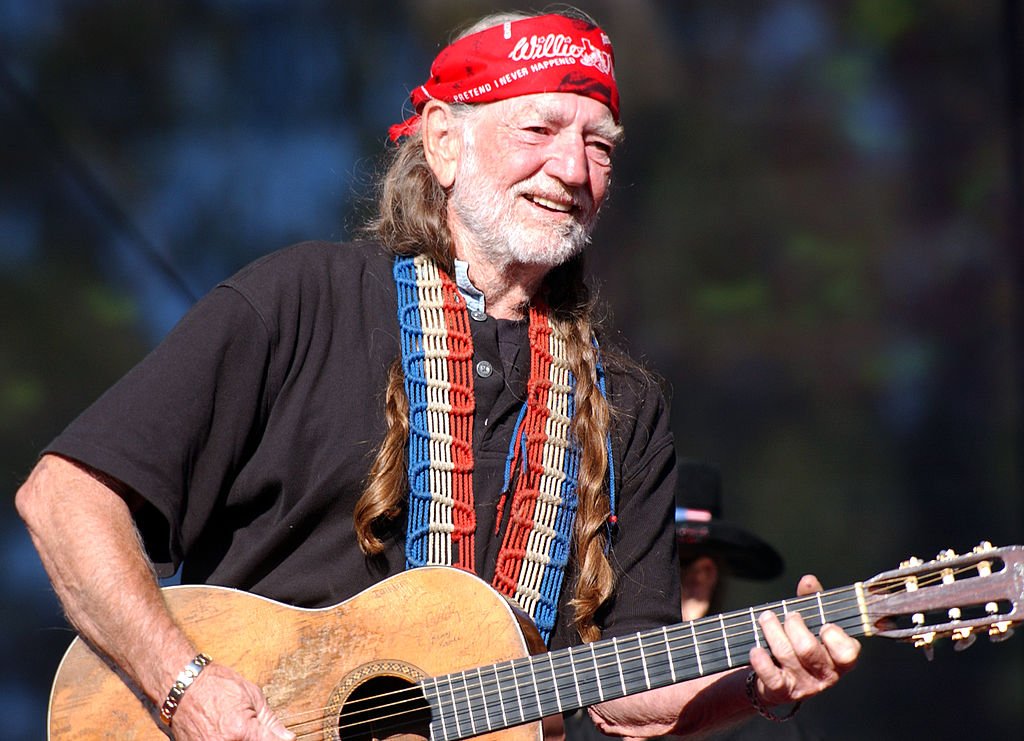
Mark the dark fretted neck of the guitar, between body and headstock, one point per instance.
(490, 699)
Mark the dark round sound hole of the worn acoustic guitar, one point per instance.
(385, 708)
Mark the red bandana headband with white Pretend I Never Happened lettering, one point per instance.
(547, 54)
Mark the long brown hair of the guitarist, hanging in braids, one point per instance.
(412, 221)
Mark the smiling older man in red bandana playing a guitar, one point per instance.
(436, 396)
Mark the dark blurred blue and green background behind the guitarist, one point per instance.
(816, 237)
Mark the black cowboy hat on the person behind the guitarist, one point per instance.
(701, 530)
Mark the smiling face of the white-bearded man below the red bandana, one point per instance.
(532, 178)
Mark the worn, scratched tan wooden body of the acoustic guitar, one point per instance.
(313, 665)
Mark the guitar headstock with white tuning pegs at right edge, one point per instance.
(952, 596)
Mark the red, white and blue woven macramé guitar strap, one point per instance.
(437, 361)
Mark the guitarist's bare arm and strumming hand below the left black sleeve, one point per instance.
(109, 592)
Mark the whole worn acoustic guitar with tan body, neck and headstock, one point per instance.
(438, 653)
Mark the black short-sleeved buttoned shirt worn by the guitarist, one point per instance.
(250, 431)
